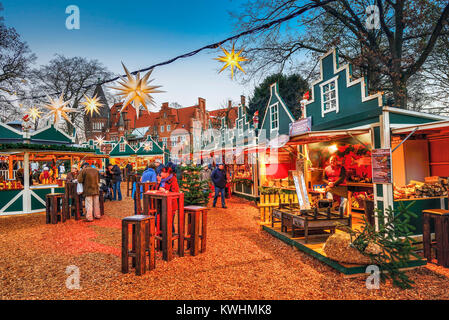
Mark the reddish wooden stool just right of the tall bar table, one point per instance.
(196, 216)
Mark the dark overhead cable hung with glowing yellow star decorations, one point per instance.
(137, 91)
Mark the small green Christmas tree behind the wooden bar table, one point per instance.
(196, 191)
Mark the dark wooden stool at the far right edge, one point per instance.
(441, 243)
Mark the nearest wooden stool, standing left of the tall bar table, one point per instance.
(143, 238)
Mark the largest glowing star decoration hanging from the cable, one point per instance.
(136, 91)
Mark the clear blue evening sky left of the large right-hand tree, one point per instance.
(139, 33)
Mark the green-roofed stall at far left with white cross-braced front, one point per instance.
(26, 150)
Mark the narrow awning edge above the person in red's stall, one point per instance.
(328, 135)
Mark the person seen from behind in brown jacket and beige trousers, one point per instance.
(89, 177)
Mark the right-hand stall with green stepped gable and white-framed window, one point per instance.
(342, 119)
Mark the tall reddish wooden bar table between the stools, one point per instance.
(164, 204)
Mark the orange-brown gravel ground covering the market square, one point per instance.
(241, 262)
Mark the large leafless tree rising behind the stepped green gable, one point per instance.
(389, 56)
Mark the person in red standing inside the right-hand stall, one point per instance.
(334, 176)
